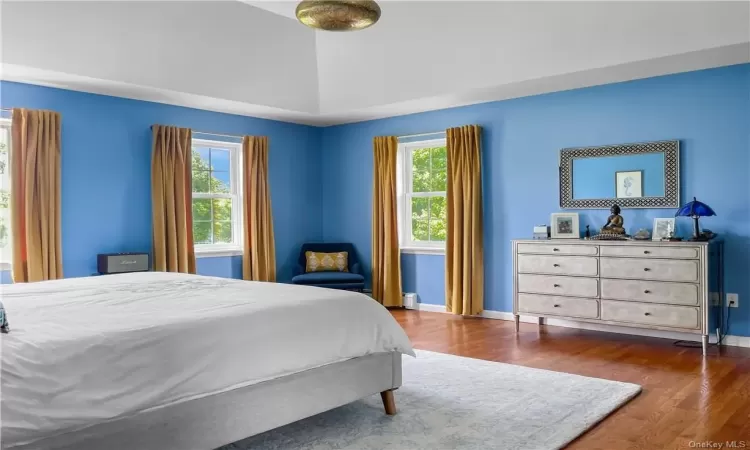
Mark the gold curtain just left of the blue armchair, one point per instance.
(259, 255)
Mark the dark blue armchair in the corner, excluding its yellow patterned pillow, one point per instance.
(334, 280)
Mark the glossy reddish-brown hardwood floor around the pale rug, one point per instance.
(685, 397)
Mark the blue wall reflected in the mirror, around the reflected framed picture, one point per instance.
(595, 177)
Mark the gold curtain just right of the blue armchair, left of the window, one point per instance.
(386, 258)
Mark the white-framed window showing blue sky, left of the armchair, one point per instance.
(217, 205)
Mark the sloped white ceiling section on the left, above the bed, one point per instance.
(225, 50)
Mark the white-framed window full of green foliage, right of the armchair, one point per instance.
(422, 203)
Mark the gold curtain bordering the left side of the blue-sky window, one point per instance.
(171, 196)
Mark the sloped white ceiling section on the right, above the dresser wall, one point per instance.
(471, 45)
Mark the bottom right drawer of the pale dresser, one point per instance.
(650, 314)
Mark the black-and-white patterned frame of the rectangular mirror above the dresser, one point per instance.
(671, 198)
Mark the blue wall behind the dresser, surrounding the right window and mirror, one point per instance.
(709, 111)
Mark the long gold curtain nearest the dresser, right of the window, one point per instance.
(464, 277)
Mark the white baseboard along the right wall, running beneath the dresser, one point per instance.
(735, 341)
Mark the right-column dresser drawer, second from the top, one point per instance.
(649, 269)
